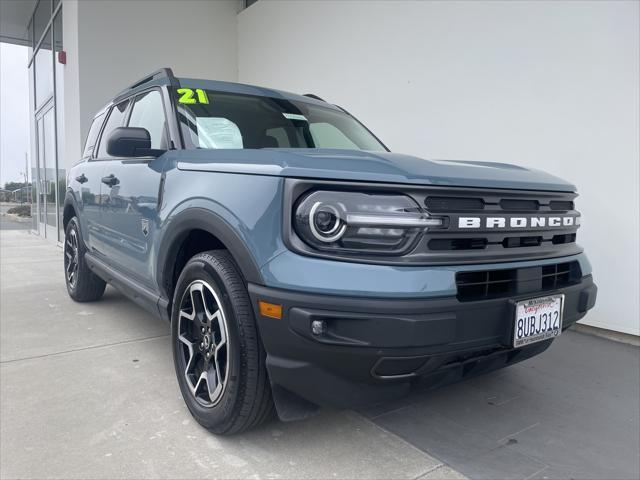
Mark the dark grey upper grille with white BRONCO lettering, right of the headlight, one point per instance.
(497, 224)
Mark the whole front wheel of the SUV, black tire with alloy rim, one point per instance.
(217, 351)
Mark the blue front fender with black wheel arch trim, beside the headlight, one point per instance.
(244, 212)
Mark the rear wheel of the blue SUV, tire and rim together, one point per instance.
(82, 284)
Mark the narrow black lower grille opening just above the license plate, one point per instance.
(486, 284)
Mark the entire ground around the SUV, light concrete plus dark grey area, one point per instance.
(89, 391)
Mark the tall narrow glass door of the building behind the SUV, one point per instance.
(46, 170)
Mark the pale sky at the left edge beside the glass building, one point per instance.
(14, 111)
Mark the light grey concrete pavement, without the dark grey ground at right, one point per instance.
(89, 391)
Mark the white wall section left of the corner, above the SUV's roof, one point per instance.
(111, 43)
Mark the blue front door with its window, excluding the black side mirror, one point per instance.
(130, 217)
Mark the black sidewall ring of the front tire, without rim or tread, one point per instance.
(200, 269)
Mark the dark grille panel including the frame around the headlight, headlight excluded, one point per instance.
(450, 244)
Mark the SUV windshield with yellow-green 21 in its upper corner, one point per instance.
(211, 119)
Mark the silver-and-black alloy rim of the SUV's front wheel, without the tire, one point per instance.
(203, 337)
